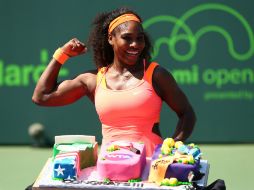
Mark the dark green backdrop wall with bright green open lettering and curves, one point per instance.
(207, 45)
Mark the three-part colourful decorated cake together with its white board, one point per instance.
(76, 165)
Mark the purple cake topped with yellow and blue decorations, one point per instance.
(174, 163)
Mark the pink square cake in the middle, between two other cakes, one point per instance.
(121, 161)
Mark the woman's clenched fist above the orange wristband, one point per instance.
(74, 47)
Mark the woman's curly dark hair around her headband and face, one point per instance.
(102, 51)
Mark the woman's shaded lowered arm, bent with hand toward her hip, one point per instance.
(167, 88)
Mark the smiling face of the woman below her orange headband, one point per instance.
(127, 42)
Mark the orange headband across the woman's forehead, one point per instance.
(121, 19)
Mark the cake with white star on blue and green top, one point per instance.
(71, 154)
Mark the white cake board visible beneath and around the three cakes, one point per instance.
(89, 180)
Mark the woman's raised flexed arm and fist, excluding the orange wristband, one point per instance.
(50, 93)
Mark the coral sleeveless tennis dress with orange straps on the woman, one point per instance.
(129, 114)
